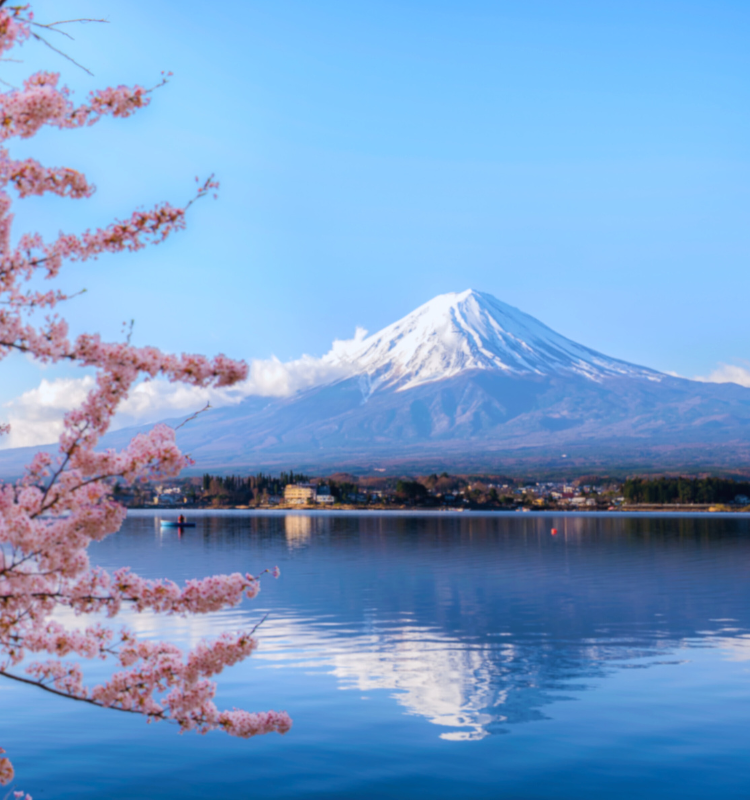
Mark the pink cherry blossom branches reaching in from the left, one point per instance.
(49, 517)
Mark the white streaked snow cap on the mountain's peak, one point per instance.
(469, 330)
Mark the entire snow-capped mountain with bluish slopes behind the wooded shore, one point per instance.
(467, 382)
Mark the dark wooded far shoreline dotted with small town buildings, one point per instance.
(348, 492)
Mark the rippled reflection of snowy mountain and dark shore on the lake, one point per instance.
(473, 624)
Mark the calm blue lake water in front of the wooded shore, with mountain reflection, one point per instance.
(437, 656)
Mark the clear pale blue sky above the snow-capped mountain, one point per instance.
(587, 162)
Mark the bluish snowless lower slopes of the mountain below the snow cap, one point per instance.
(478, 419)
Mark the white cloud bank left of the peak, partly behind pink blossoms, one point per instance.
(36, 415)
